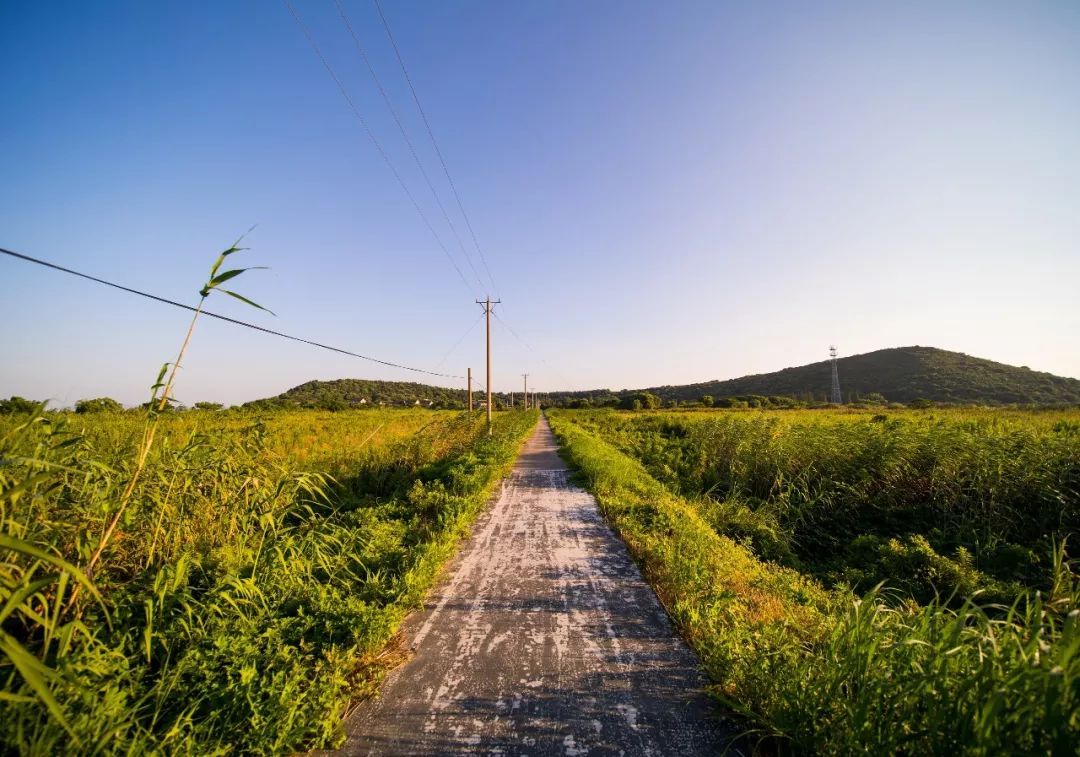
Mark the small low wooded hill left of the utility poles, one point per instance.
(343, 394)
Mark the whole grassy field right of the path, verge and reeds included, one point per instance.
(767, 535)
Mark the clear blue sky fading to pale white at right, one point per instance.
(666, 193)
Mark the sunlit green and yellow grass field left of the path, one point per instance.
(253, 585)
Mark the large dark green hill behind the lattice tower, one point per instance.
(901, 375)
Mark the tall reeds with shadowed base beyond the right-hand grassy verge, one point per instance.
(965, 502)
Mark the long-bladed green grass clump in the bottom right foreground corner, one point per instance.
(934, 680)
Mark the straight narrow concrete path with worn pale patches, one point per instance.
(543, 640)
